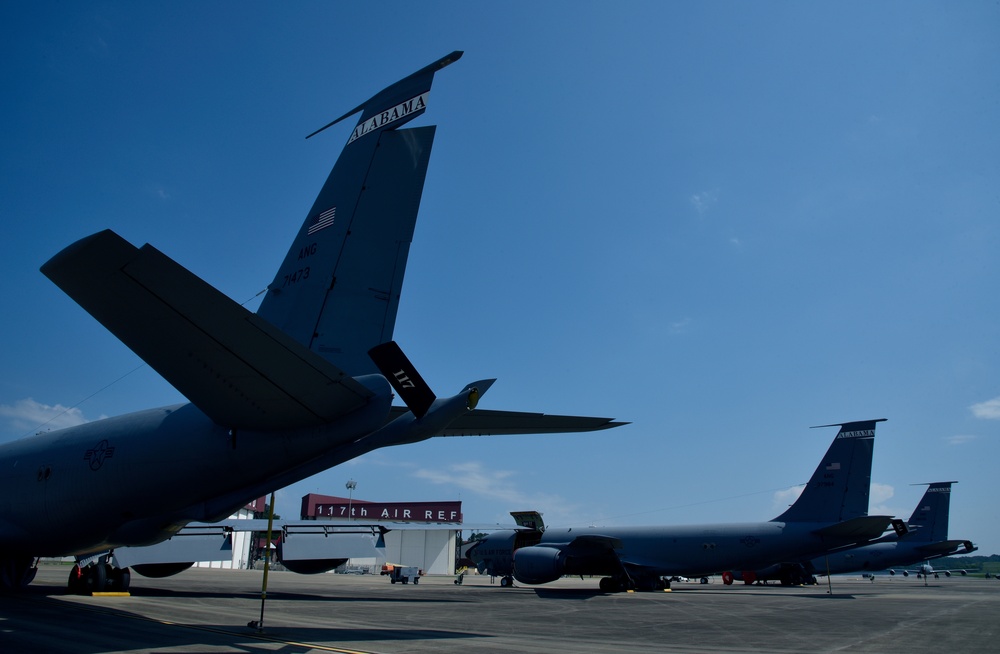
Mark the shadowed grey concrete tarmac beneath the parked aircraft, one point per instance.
(207, 611)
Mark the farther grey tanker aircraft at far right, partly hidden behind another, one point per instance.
(926, 539)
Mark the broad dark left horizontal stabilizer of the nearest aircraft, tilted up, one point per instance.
(234, 366)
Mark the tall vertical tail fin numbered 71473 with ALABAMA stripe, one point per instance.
(338, 289)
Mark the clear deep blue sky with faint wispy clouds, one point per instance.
(724, 222)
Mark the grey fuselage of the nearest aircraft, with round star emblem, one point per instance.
(136, 479)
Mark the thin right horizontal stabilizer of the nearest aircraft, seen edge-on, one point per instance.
(484, 422)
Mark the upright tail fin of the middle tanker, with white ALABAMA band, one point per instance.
(839, 488)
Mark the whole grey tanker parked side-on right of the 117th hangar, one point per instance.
(831, 513)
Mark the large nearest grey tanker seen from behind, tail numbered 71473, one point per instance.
(275, 396)
